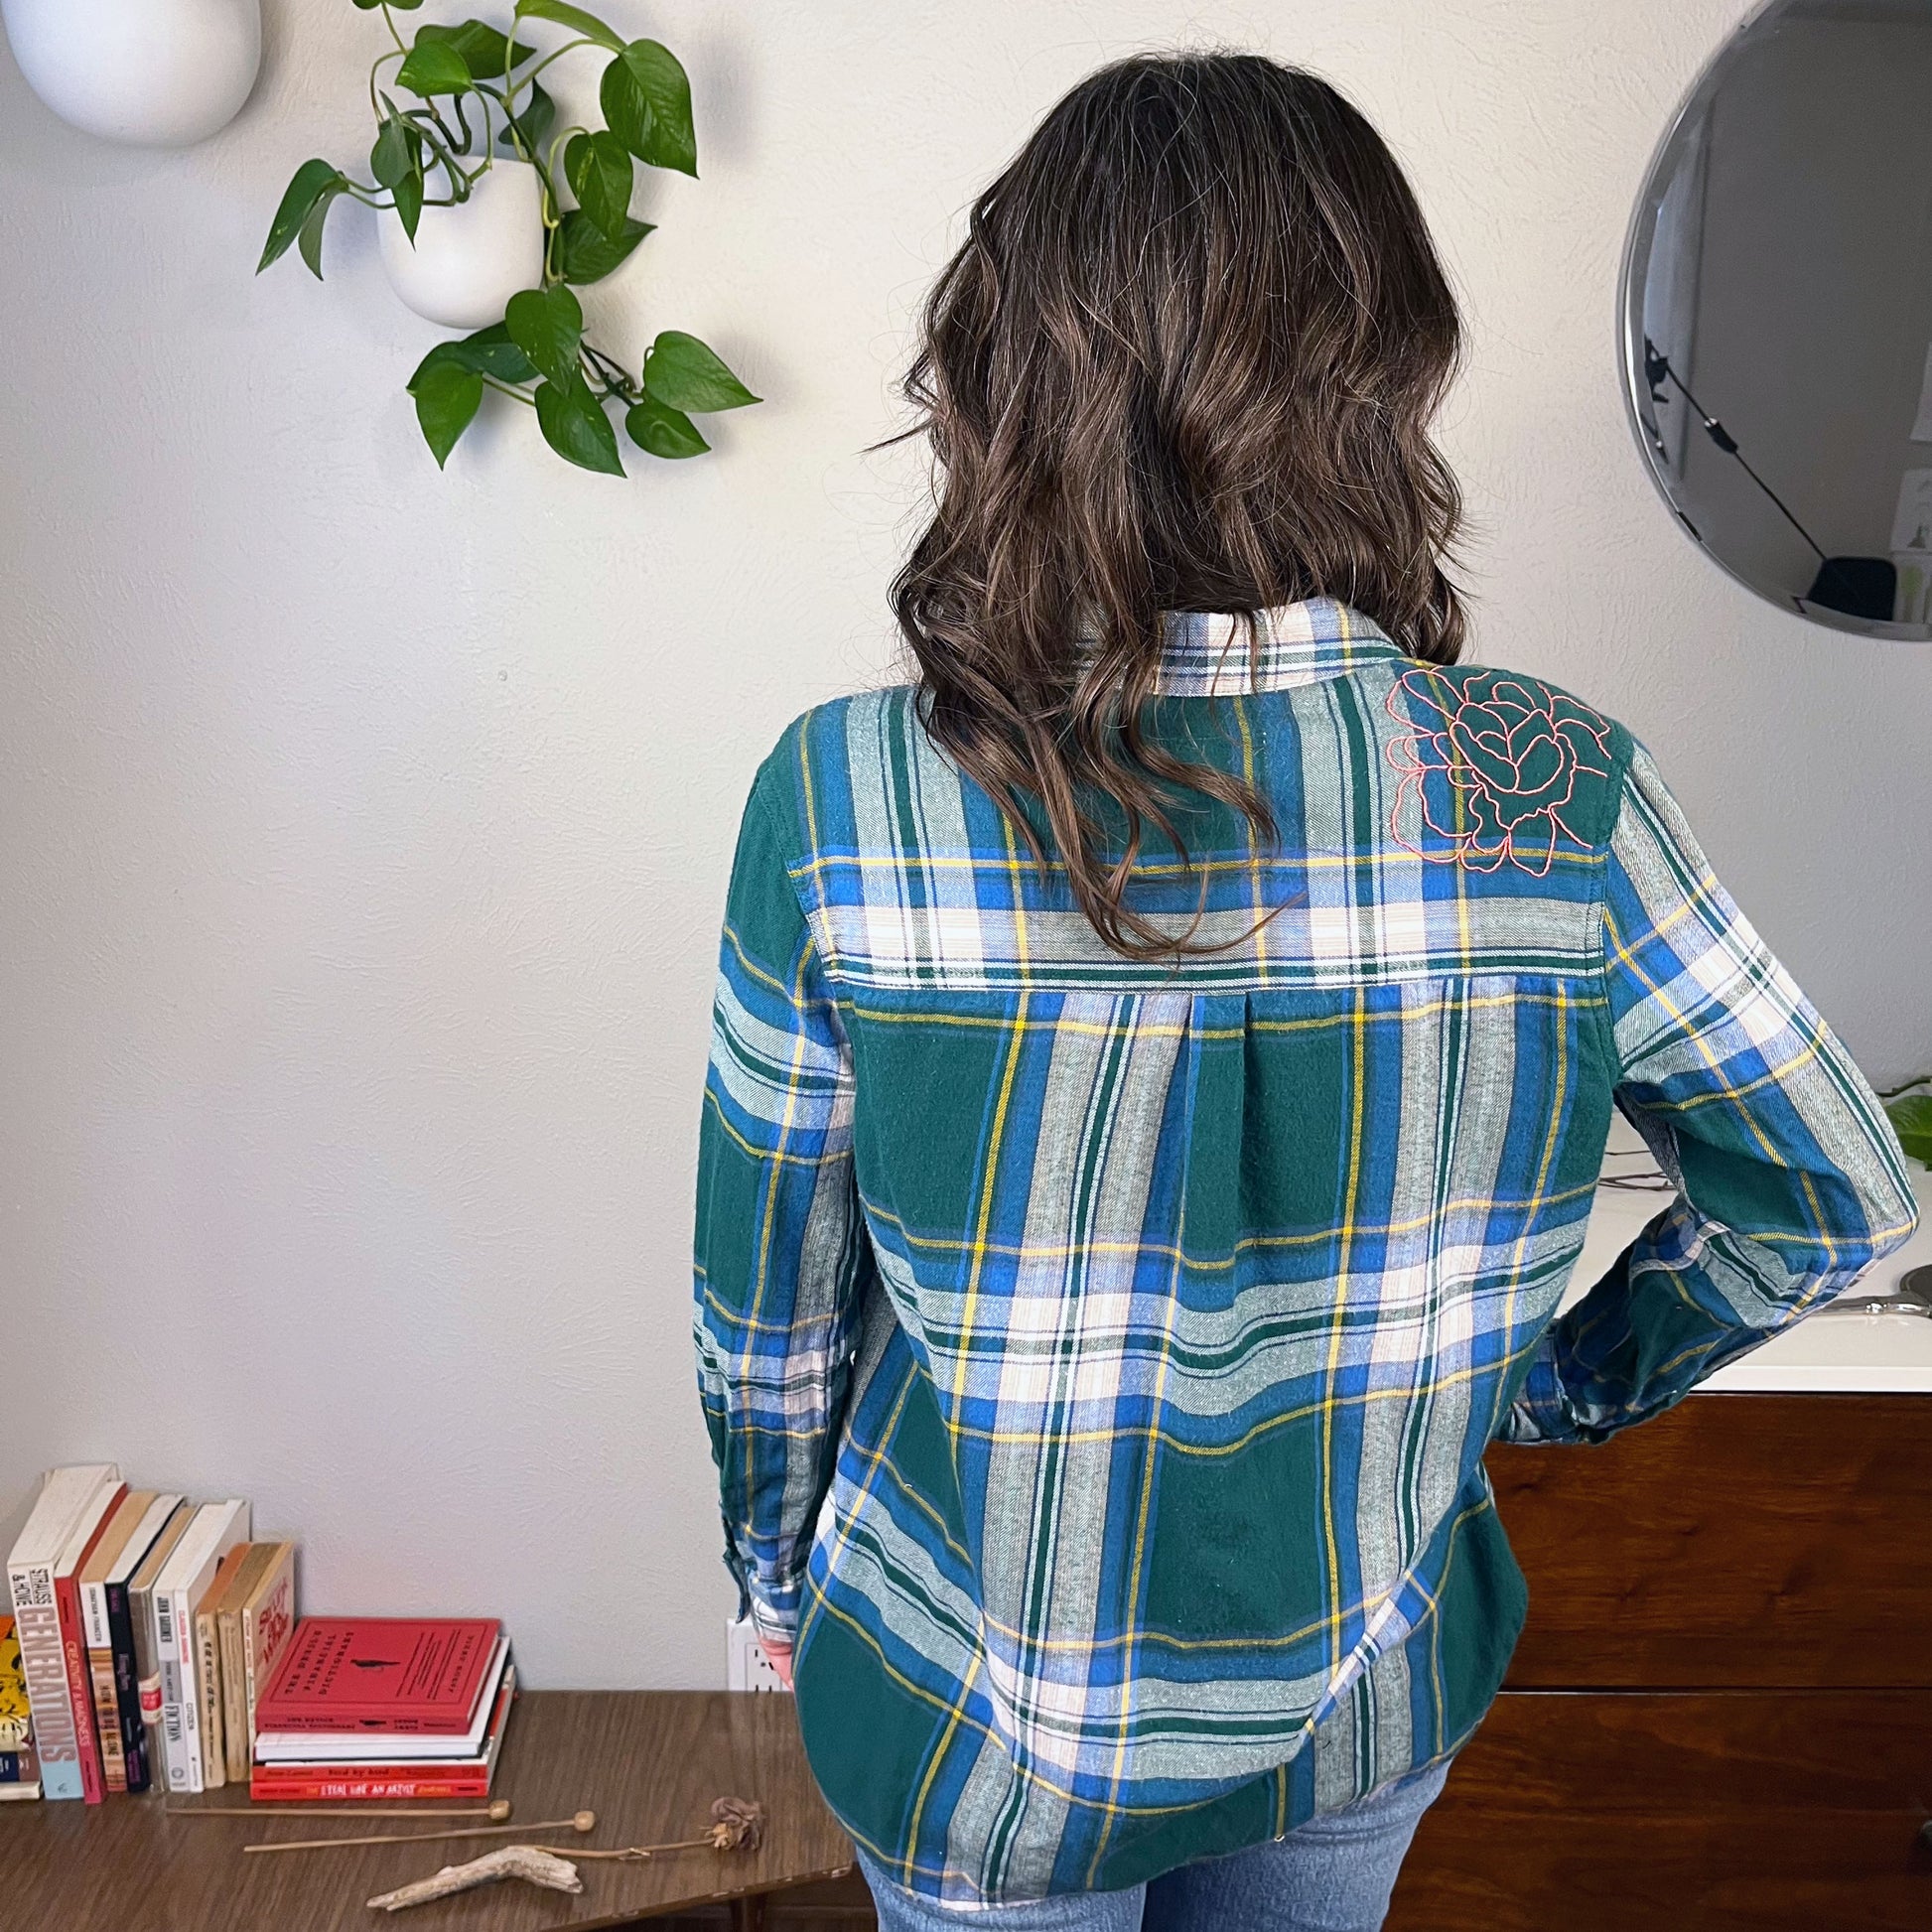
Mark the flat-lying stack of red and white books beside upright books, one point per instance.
(385, 1709)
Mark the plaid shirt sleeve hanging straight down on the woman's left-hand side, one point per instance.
(780, 1236)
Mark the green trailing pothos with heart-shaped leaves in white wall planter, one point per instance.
(476, 96)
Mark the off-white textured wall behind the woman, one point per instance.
(364, 832)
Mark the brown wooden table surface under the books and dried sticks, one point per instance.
(648, 1763)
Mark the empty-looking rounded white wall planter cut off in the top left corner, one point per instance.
(146, 72)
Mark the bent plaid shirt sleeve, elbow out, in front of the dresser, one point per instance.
(1790, 1181)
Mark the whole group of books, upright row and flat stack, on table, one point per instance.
(156, 1647)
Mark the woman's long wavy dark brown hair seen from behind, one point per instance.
(1187, 360)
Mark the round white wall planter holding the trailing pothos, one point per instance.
(474, 256)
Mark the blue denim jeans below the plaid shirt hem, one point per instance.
(1330, 1875)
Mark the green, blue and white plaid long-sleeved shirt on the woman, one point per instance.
(1100, 1353)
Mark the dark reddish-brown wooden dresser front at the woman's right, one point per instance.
(1720, 1715)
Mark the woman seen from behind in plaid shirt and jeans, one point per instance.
(1164, 1056)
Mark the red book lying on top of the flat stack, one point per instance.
(380, 1674)
